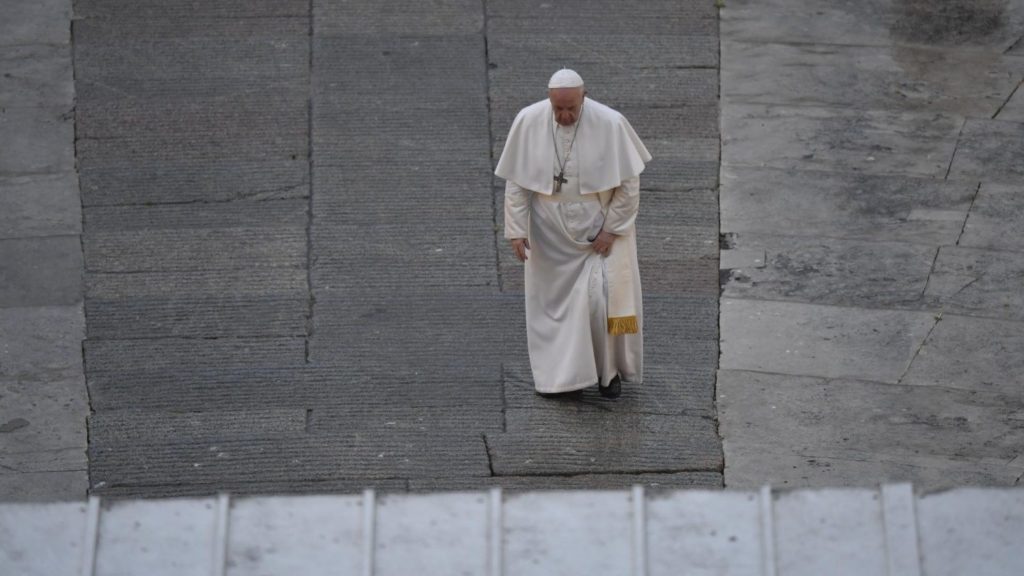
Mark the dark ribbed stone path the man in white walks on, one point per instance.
(294, 272)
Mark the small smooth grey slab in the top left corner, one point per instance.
(36, 23)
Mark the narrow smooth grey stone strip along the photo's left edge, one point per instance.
(44, 403)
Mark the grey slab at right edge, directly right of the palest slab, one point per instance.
(980, 355)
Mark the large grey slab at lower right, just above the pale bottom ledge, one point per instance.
(801, 432)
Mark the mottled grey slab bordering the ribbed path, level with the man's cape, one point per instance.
(870, 142)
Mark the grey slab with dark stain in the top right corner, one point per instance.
(972, 23)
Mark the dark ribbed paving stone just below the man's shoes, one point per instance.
(550, 442)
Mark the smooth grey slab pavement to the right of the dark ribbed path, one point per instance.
(872, 201)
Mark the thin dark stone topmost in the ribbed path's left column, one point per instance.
(131, 11)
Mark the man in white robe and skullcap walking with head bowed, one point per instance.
(573, 190)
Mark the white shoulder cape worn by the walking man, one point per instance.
(610, 151)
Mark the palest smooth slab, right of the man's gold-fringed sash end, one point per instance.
(820, 341)
